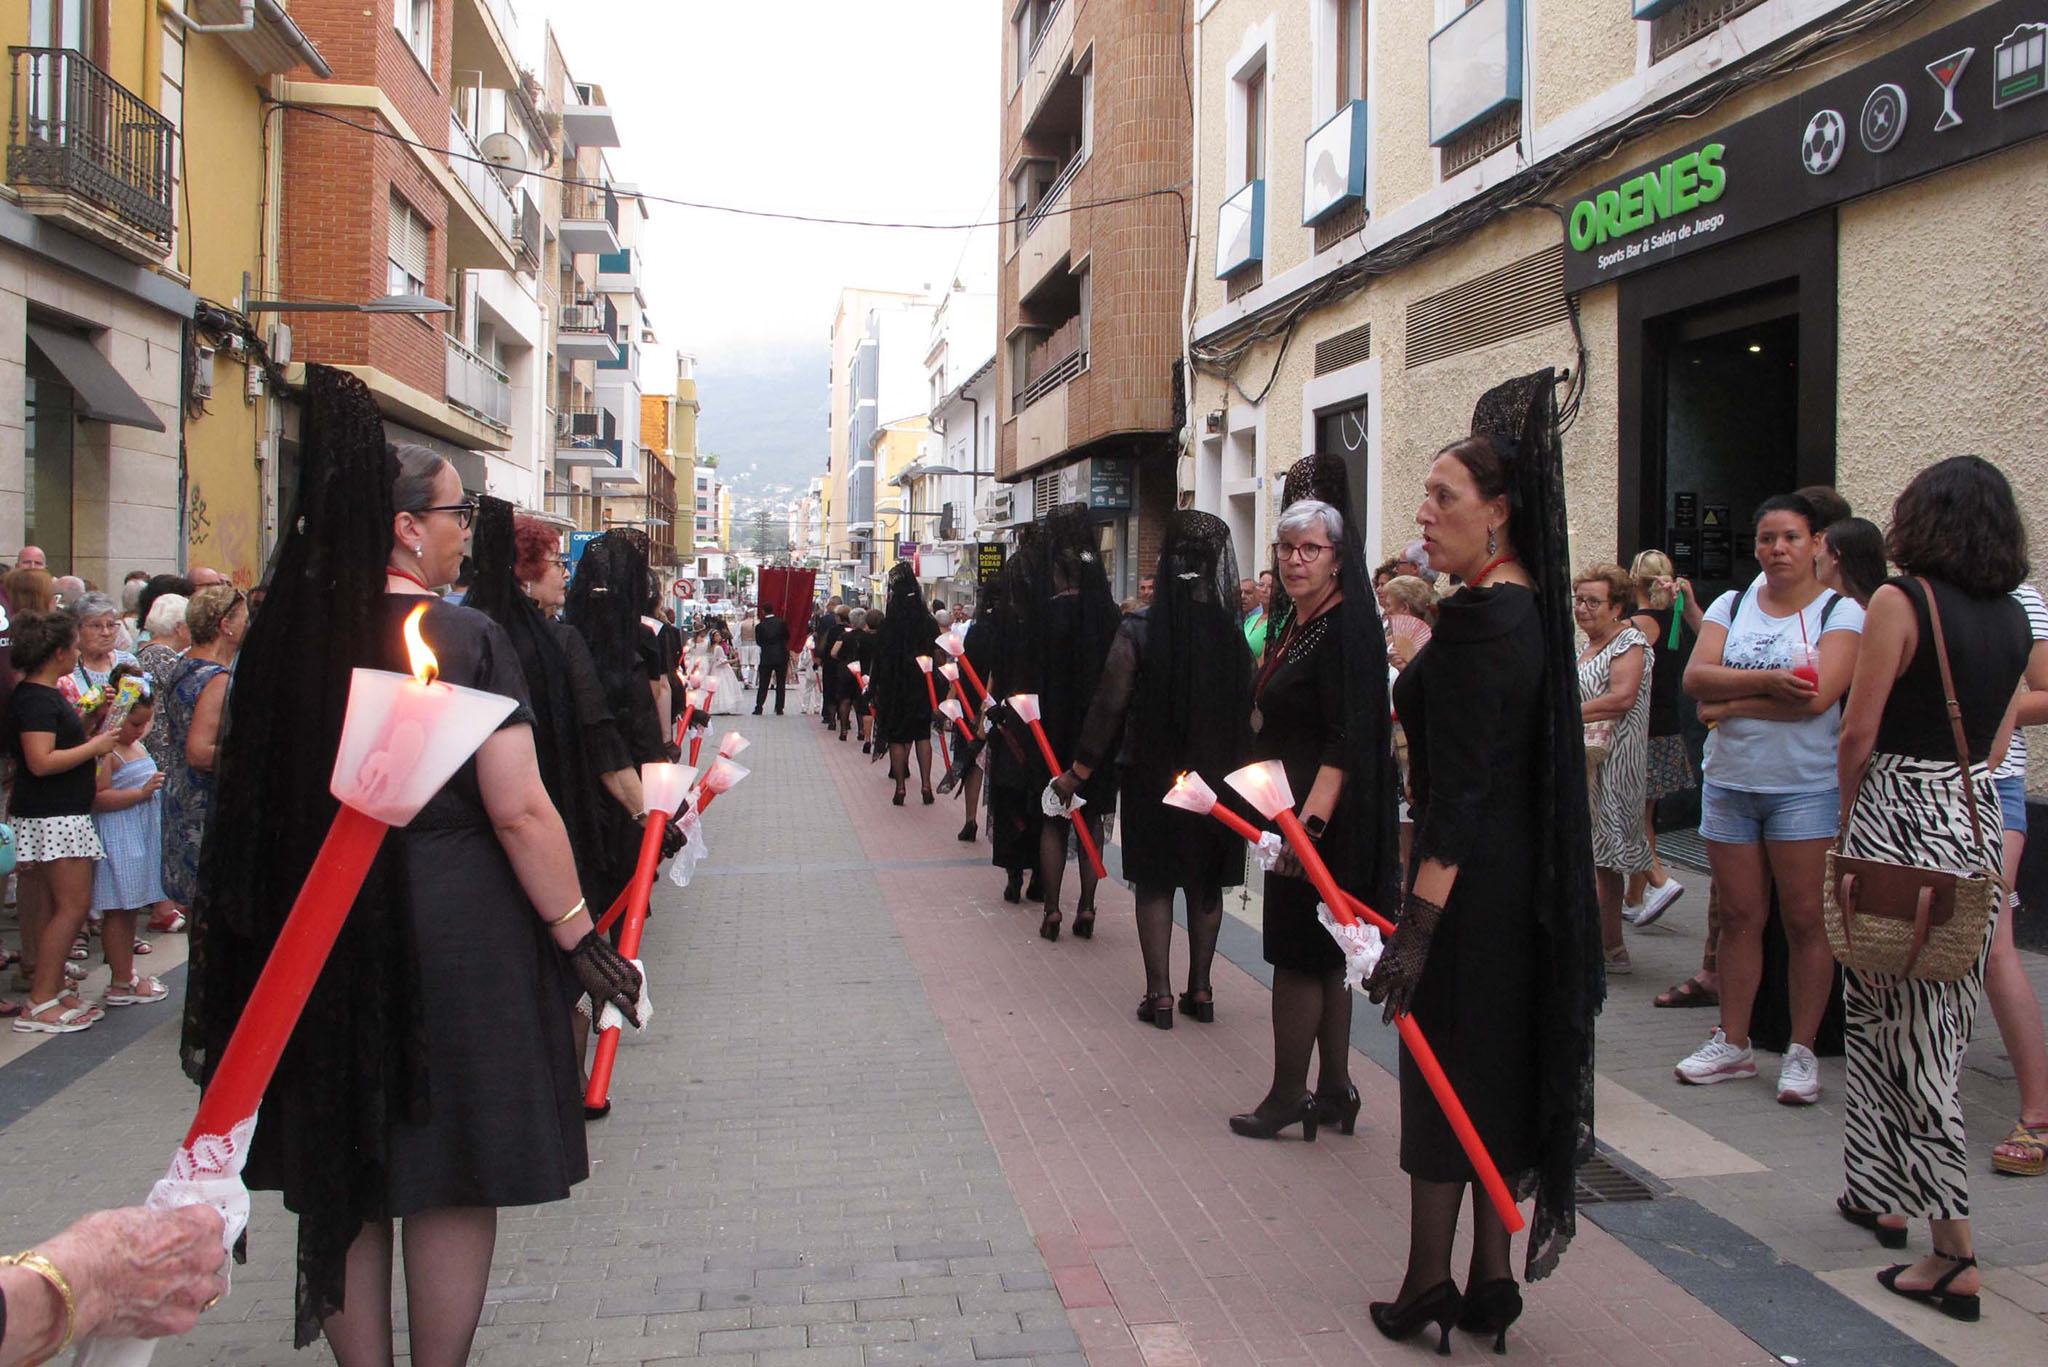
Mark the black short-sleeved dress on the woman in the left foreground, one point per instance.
(503, 1120)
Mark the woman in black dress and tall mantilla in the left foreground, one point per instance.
(431, 1079)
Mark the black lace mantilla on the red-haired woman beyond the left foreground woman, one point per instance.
(574, 741)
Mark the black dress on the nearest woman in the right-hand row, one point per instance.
(1471, 706)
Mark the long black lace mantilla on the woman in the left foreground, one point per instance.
(353, 1067)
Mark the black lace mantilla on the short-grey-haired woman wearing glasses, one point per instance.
(1373, 782)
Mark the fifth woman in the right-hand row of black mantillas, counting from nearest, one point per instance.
(998, 647)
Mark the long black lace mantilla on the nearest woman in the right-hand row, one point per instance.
(1521, 417)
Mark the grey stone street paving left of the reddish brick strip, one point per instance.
(794, 1169)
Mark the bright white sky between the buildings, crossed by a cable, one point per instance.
(867, 110)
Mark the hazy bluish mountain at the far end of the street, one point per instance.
(765, 411)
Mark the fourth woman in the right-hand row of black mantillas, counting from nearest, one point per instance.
(1072, 622)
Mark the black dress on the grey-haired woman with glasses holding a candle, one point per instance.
(1302, 724)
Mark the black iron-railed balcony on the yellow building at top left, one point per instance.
(89, 153)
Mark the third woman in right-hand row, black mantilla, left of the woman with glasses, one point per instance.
(1172, 700)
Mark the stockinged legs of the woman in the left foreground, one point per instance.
(447, 1272)
